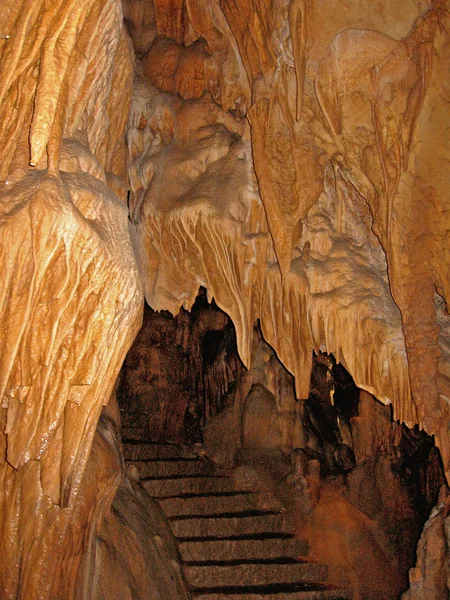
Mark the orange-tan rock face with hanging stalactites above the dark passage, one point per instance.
(310, 194)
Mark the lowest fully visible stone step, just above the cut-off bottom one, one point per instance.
(253, 573)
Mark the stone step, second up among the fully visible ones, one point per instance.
(243, 548)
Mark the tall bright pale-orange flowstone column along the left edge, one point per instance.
(70, 291)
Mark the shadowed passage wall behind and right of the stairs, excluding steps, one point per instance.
(337, 453)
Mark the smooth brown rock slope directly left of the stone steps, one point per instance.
(133, 553)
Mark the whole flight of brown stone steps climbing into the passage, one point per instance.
(229, 548)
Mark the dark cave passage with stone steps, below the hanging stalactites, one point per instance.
(256, 482)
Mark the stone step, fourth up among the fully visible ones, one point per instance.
(208, 503)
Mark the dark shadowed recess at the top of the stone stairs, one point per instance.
(177, 373)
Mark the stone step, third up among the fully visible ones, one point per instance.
(234, 524)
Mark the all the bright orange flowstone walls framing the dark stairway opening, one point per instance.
(289, 156)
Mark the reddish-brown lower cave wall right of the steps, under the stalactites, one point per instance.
(355, 484)
